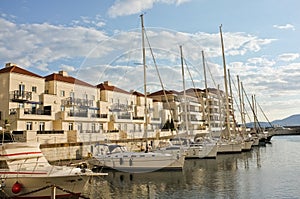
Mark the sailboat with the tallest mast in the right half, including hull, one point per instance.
(227, 143)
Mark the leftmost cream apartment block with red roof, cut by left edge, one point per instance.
(22, 107)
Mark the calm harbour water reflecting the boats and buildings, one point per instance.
(265, 172)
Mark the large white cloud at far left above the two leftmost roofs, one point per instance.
(40, 44)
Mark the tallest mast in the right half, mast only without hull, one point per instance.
(225, 82)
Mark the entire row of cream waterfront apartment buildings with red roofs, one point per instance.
(59, 108)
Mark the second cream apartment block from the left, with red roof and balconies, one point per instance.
(77, 107)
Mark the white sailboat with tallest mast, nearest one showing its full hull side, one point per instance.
(117, 157)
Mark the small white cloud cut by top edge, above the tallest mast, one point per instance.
(129, 7)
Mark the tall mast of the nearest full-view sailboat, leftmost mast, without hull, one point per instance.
(145, 81)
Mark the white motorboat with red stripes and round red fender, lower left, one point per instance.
(26, 173)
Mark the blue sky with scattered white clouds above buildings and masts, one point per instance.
(97, 41)
